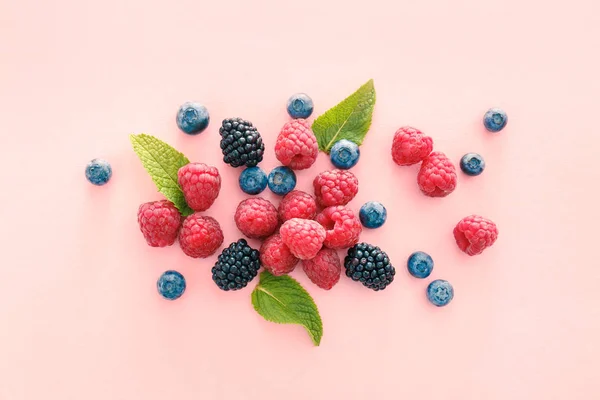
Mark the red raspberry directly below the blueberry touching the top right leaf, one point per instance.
(335, 187)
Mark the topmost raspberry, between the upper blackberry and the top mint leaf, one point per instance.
(296, 146)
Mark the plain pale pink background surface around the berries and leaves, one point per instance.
(79, 314)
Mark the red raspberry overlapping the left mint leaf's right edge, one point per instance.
(200, 184)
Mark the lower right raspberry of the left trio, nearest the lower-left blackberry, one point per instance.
(200, 236)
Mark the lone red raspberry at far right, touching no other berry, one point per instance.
(474, 234)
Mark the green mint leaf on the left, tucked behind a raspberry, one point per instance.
(162, 163)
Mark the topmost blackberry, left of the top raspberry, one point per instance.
(241, 143)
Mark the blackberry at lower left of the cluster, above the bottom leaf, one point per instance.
(237, 265)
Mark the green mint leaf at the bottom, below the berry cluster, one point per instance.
(281, 299)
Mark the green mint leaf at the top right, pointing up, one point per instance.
(350, 119)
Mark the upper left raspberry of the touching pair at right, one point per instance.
(410, 146)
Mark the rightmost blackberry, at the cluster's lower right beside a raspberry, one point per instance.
(370, 265)
